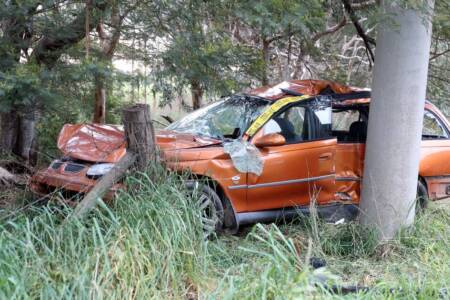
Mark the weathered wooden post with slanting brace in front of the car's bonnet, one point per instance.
(140, 137)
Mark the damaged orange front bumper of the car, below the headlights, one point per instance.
(48, 181)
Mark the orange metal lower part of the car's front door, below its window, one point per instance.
(294, 174)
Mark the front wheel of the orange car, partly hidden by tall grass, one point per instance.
(211, 208)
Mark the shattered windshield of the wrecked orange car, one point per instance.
(228, 118)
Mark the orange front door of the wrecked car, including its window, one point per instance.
(301, 169)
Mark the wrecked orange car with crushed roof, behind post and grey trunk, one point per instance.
(265, 154)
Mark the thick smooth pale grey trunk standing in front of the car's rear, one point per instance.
(395, 125)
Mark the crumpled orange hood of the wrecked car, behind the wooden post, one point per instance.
(106, 143)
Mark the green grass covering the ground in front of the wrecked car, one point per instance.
(150, 245)
